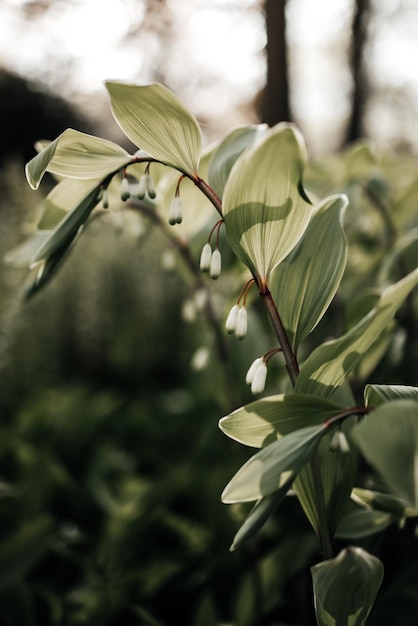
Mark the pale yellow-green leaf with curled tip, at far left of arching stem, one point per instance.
(77, 155)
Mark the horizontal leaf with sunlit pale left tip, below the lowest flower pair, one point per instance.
(263, 421)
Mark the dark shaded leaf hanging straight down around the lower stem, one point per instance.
(337, 470)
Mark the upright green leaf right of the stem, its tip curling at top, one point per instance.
(305, 283)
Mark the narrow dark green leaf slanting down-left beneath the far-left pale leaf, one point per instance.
(68, 228)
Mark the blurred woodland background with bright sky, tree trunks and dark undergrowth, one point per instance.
(111, 461)
